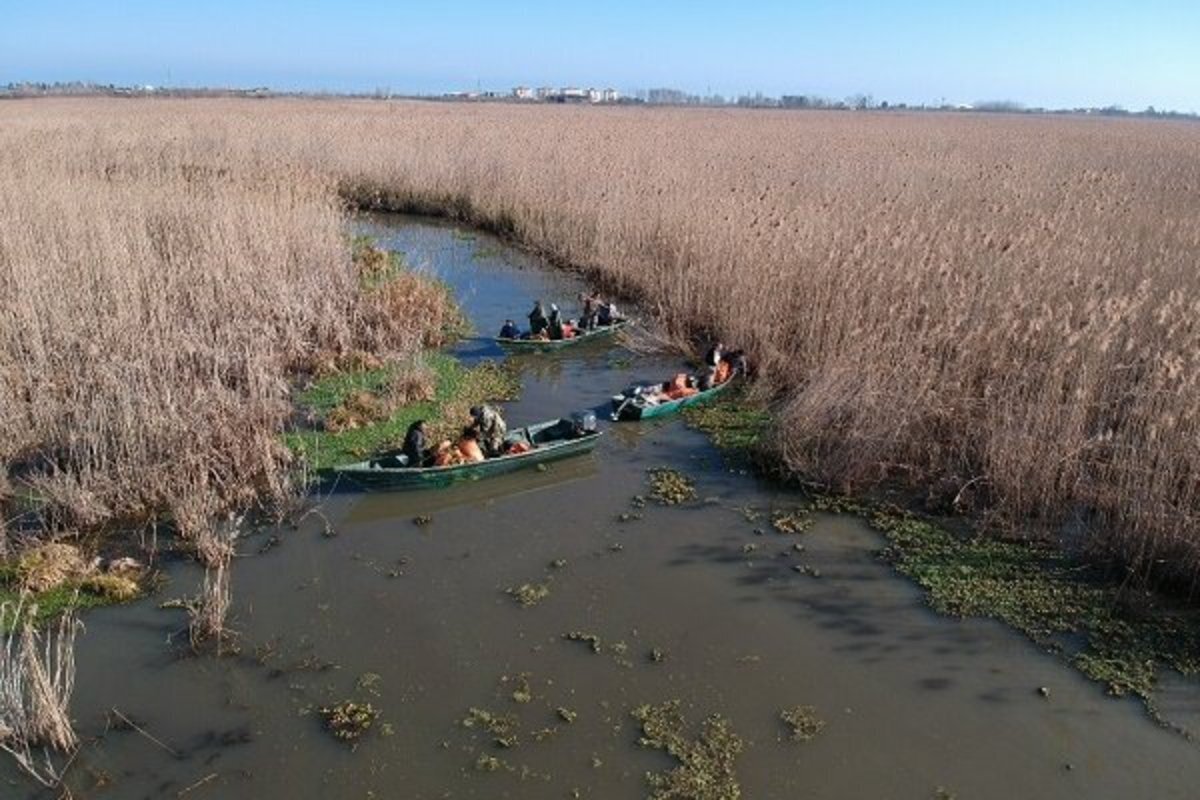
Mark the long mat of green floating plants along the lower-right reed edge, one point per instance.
(1112, 637)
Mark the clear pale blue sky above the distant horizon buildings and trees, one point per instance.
(1047, 53)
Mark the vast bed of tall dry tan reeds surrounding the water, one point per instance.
(1000, 304)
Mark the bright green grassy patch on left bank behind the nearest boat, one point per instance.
(457, 389)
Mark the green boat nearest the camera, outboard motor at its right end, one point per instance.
(551, 441)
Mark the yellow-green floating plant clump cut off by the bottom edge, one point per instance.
(706, 761)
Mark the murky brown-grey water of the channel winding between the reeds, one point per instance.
(416, 621)
